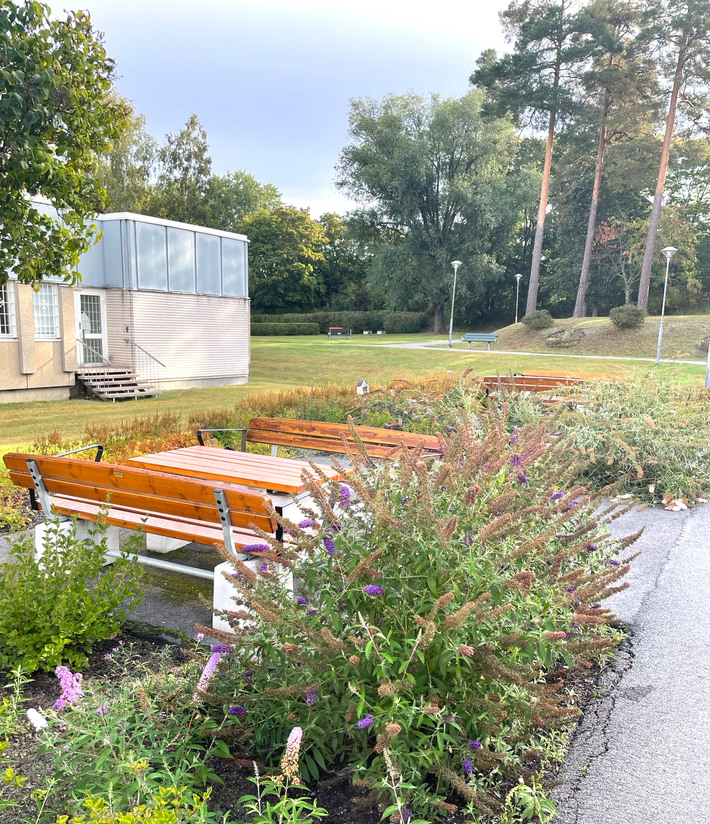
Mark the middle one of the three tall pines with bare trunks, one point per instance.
(624, 83)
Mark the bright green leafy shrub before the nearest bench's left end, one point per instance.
(53, 609)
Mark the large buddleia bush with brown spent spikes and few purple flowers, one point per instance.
(438, 606)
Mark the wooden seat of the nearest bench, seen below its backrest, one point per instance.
(156, 523)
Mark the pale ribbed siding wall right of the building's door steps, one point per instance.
(201, 339)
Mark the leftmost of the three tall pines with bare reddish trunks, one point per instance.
(535, 79)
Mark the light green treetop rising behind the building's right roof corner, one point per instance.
(231, 197)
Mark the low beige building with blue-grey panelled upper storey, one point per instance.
(164, 300)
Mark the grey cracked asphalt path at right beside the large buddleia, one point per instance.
(642, 752)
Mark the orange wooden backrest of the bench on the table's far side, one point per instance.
(332, 437)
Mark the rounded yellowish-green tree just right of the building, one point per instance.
(285, 247)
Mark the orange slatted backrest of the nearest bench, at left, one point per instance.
(142, 490)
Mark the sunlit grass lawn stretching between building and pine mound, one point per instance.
(280, 363)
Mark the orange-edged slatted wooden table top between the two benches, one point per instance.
(244, 468)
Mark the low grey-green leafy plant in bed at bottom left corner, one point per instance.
(129, 738)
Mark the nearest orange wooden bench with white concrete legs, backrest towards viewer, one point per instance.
(178, 508)
